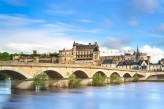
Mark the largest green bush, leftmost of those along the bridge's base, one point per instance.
(41, 80)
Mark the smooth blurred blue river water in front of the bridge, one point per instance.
(146, 95)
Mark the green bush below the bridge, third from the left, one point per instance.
(98, 80)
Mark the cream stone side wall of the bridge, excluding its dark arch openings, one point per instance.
(29, 69)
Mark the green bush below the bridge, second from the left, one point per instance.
(73, 82)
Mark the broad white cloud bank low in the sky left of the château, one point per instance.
(28, 40)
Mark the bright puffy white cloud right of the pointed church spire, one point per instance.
(155, 53)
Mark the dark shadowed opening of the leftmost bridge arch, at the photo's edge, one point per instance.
(14, 74)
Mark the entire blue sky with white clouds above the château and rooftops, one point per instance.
(117, 25)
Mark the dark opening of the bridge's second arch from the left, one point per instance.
(53, 74)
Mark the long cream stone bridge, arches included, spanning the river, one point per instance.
(26, 71)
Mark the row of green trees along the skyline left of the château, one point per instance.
(5, 56)
